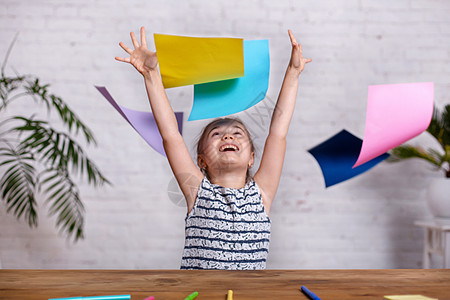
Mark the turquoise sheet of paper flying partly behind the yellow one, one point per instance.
(222, 98)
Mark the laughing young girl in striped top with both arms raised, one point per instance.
(227, 223)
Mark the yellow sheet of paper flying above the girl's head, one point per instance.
(191, 60)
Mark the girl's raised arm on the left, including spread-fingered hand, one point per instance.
(183, 167)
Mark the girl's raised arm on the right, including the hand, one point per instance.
(268, 175)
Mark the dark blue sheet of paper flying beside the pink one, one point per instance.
(337, 155)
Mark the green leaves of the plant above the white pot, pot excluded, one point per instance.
(440, 129)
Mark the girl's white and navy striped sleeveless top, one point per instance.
(227, 229)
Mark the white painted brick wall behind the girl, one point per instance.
(366, 222)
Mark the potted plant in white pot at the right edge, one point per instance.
(438, 194)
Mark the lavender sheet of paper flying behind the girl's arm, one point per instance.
(143, 122)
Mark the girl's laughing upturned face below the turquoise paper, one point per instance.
(227, 146)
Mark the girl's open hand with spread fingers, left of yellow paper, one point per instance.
(141, 58)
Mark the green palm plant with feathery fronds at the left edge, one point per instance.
(38, 161)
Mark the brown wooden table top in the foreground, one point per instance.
(267, 284)
